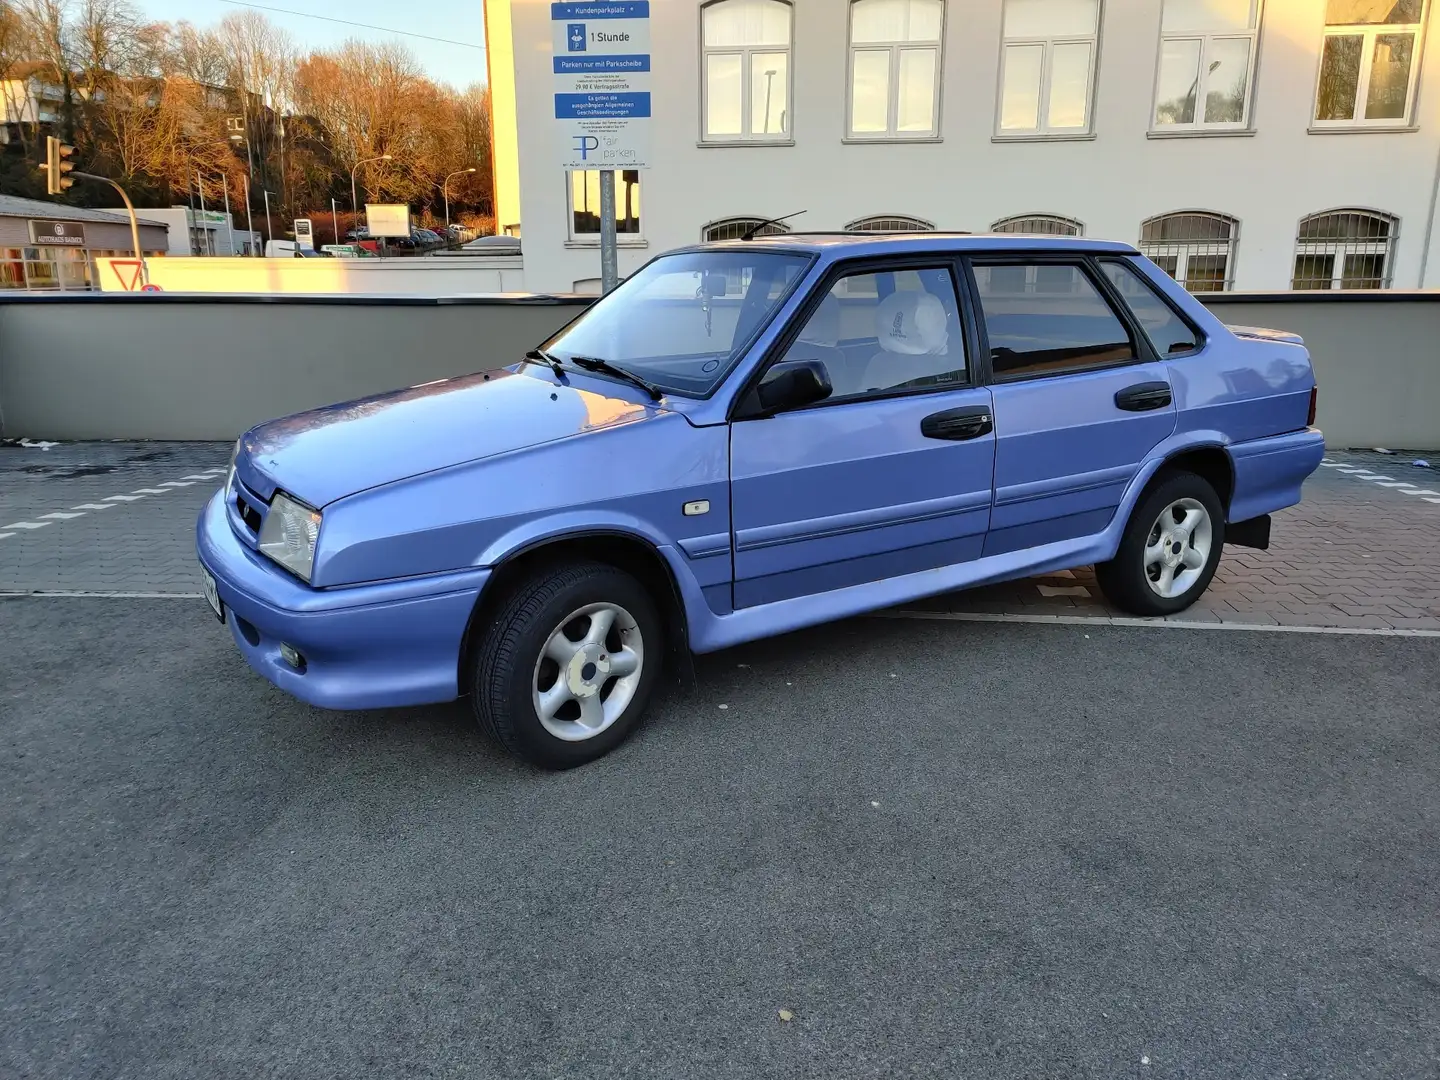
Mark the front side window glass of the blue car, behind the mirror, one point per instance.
(886, 333)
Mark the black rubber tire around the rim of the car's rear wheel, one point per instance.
(1127, 581)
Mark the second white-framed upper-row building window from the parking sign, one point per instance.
(895, 68)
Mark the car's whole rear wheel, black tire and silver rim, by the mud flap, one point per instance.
(1170, 548)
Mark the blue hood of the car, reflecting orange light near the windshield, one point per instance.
(332, 453)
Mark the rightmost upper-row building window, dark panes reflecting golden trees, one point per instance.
(1370, 63)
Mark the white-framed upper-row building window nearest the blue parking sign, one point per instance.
(745, 71)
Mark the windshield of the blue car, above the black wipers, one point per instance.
(683, 319)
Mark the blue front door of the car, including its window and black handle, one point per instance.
(892, 473)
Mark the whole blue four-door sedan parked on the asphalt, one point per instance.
(742, 440)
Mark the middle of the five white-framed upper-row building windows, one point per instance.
(1048, 67)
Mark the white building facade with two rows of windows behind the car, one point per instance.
(1245, 145)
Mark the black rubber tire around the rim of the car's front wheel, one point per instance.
(513, 644)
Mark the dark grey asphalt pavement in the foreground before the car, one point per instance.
(882, 849)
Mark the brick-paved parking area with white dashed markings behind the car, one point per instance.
(1357, 552)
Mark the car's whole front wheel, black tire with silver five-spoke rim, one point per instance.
(567, 669)
